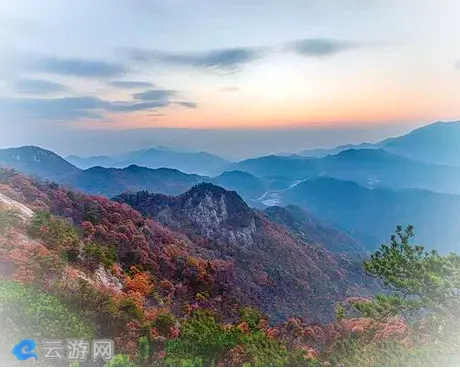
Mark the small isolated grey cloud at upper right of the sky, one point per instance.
(320, 47)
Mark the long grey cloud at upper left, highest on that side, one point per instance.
(76, 67)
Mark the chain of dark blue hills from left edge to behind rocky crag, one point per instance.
(112, 181)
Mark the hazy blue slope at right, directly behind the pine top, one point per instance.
(371, 214)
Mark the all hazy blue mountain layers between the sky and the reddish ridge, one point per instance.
(362, 191)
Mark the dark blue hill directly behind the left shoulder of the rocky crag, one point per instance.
(110, 181)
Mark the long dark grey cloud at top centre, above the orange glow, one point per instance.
(231, 59)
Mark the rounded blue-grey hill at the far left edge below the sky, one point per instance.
(37, 161)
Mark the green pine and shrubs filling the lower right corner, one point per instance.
(422, 290)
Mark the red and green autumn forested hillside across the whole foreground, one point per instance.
(83, 266)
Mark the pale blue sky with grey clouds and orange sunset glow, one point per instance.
(232, 77)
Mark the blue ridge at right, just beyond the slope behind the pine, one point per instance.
(368, 167)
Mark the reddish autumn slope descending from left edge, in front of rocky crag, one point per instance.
(93, 268)
